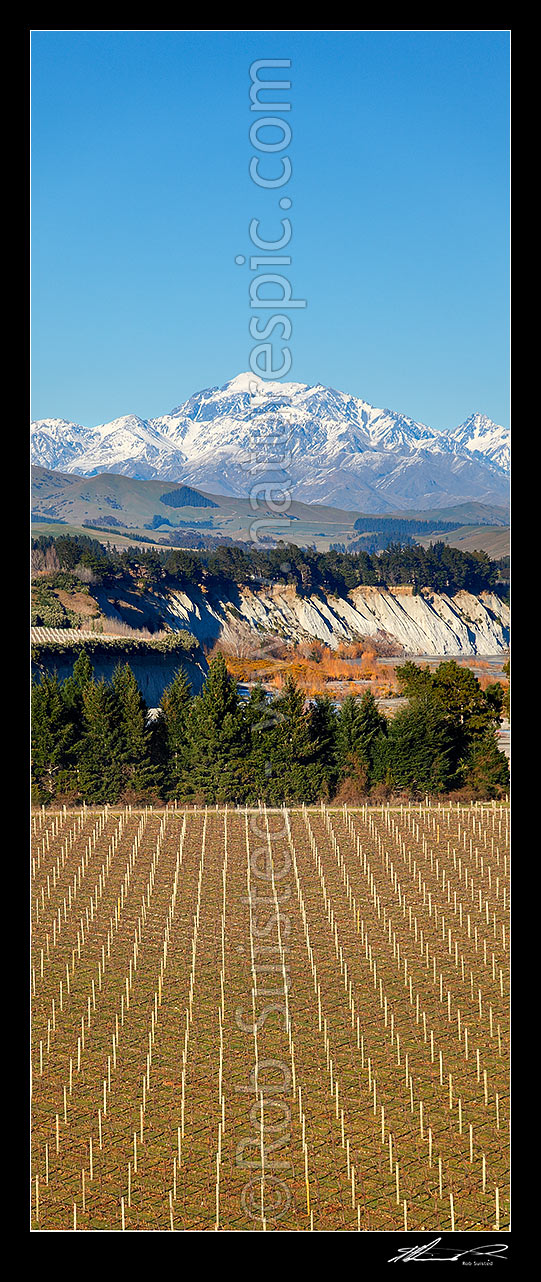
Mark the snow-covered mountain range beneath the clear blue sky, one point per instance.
(319, 444)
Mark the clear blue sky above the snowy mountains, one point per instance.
(142, 201)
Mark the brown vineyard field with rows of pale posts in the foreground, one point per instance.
(271, 1020)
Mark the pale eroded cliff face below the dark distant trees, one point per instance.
(426, 624)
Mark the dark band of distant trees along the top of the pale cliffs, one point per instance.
(439, 567)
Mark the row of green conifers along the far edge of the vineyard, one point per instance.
(93, 742)
